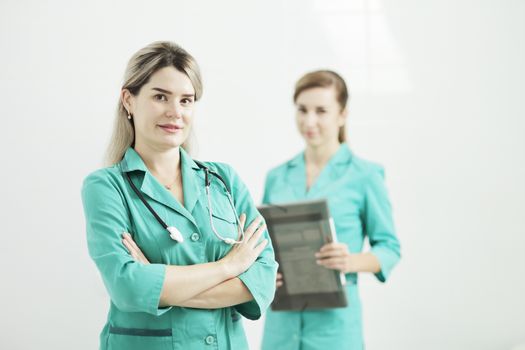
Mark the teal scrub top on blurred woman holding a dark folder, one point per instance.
(359, 205)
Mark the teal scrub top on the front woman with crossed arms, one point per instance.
(135, 320)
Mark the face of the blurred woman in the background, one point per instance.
(319, 116)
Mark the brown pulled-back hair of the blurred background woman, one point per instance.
(325, 78)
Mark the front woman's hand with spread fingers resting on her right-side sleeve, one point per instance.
(243, 255)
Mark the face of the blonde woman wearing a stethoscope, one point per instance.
(162, 111)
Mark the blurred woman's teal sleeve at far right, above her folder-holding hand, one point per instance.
(379, 224)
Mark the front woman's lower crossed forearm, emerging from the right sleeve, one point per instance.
(228, 293)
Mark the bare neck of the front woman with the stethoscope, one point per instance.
(163, 164)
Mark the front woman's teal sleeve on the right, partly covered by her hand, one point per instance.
(260, 277)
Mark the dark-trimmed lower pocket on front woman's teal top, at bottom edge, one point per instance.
(139, 338)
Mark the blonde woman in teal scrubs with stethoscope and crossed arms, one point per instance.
(199, 267)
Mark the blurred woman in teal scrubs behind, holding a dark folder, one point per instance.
(358, 203)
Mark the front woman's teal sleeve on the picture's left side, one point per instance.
(132, 286)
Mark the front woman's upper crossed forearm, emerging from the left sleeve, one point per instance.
(182, 283)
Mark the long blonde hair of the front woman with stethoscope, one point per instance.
(141, 66)
